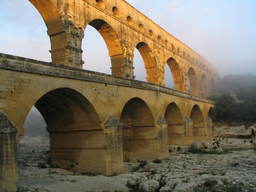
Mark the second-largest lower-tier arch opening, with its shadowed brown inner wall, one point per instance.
(138, 131)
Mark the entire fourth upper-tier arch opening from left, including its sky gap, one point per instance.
(177, 80)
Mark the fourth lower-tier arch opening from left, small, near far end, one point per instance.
(198, 121)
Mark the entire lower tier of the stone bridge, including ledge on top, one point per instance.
(97, 121)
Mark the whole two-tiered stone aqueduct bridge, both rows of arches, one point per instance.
(98, 121)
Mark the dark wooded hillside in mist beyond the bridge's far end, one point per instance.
(235, 98)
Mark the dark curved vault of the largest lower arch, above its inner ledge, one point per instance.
(71, 107)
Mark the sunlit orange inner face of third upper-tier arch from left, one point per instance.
(150, 62)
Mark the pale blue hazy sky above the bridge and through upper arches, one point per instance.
(224, 32)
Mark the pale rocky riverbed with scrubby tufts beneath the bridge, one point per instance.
(195, 171)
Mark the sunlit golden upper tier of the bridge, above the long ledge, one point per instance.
(122, 27)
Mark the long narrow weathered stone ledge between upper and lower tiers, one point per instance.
(26, 65)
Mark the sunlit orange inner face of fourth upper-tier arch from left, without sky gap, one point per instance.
(177, 74)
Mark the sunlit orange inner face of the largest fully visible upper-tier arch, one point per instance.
(113, 43)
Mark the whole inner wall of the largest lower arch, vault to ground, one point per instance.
(70, 117)
